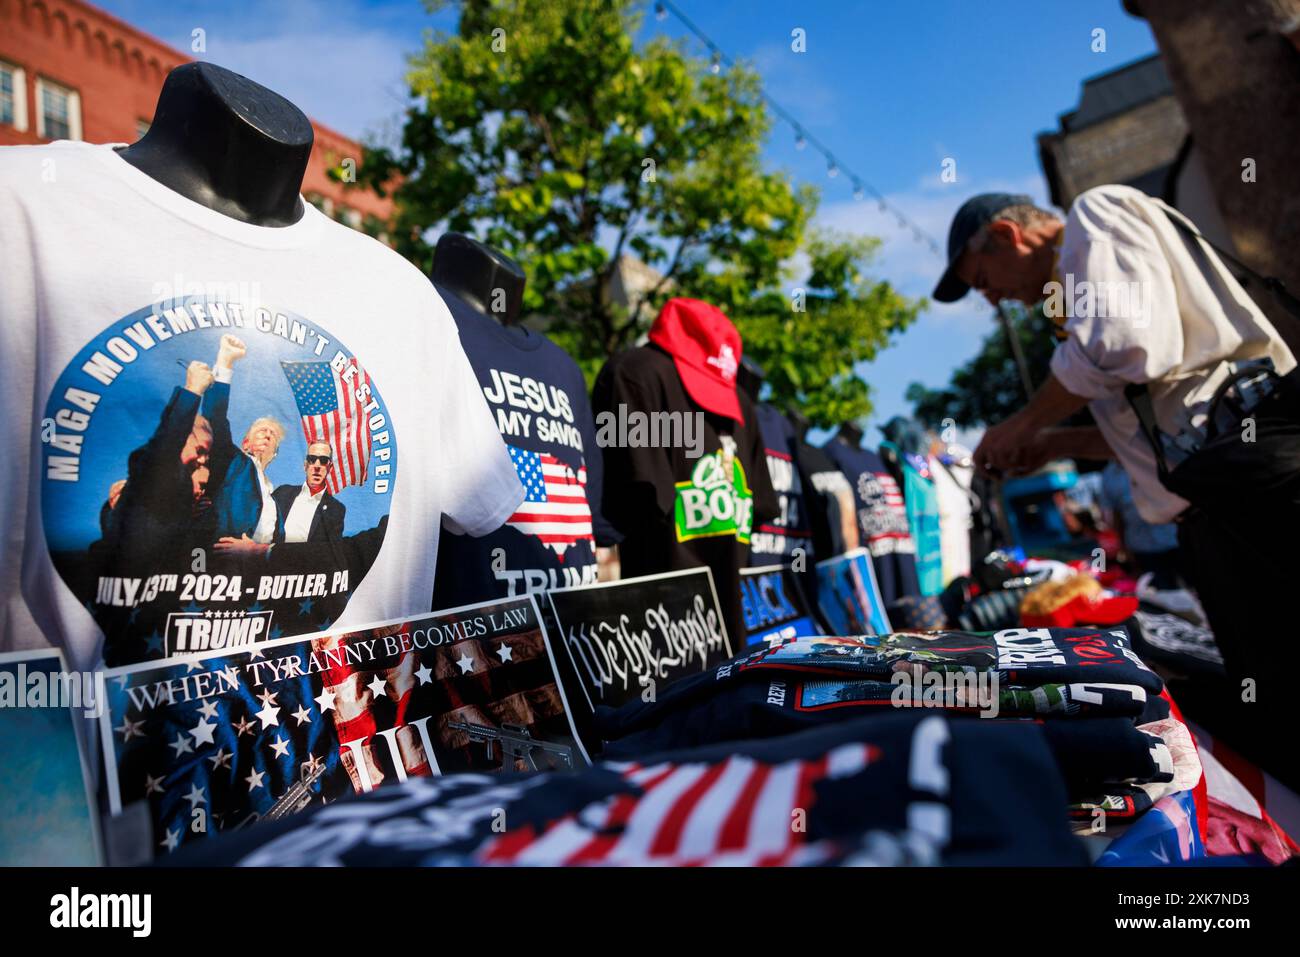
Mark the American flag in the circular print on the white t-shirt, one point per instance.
(331, 413)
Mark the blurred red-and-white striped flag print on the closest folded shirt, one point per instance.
(733, 813)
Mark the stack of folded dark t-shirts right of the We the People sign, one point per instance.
(1086, 687)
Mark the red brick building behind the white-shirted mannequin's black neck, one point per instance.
(70, 71)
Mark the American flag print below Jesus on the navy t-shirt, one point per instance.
(556, 509)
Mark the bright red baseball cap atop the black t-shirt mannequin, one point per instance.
(707, 349)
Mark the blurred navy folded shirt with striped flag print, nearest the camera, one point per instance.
(902, 789)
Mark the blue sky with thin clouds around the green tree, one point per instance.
(894, 88)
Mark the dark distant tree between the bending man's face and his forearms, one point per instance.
(987, 389)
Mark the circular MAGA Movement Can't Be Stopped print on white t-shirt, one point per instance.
(214, 475)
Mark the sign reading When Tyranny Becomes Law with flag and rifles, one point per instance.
(220, 742)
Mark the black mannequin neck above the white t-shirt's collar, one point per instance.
(228, 144)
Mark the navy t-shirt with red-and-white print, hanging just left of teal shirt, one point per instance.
(882, 519)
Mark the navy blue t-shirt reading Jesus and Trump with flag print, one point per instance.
(538, 397)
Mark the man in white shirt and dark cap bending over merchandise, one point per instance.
(1142, 302)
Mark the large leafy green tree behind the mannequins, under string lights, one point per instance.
(544, 129)
